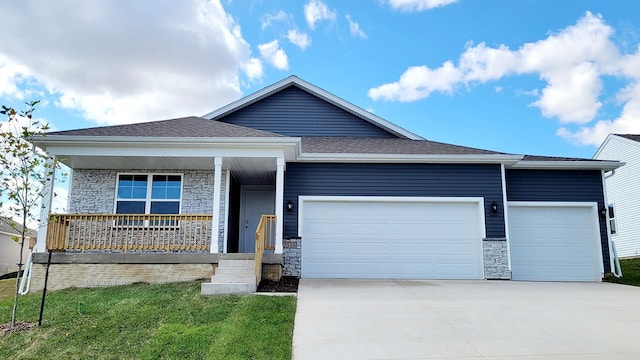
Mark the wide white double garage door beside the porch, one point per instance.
(349, 237)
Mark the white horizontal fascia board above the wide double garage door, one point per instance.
(410, 158)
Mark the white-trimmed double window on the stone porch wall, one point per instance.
(148, 194)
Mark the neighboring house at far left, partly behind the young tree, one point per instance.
(10, 231)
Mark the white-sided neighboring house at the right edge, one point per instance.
(623, 191)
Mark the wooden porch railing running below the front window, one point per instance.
(126, 232)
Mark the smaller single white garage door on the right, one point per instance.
(554, 242)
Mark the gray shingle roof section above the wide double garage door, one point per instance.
(367, 145)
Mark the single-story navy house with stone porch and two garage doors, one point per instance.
(348, 194)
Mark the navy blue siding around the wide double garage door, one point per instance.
(431, 180)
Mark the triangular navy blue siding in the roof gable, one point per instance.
(295, 112)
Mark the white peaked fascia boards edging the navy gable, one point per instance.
(323, 94)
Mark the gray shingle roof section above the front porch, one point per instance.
(183, 127)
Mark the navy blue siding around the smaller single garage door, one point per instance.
(560, 185)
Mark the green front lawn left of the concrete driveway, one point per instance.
(169, 321)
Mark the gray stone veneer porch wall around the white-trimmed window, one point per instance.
(93, 192)
